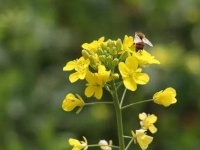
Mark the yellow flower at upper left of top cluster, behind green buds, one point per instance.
(94, 45)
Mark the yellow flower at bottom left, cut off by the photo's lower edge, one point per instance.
(78, 145)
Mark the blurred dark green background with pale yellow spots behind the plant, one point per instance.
(38, 37)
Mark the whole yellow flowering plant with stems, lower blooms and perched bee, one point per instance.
(109, 64)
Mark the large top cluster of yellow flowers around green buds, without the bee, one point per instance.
(103, 61)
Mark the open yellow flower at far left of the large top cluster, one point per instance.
(80, 66)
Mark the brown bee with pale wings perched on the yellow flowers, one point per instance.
(140, 40)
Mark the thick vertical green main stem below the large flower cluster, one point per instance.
(118, 116)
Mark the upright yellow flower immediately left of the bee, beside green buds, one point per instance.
(128, 44)
